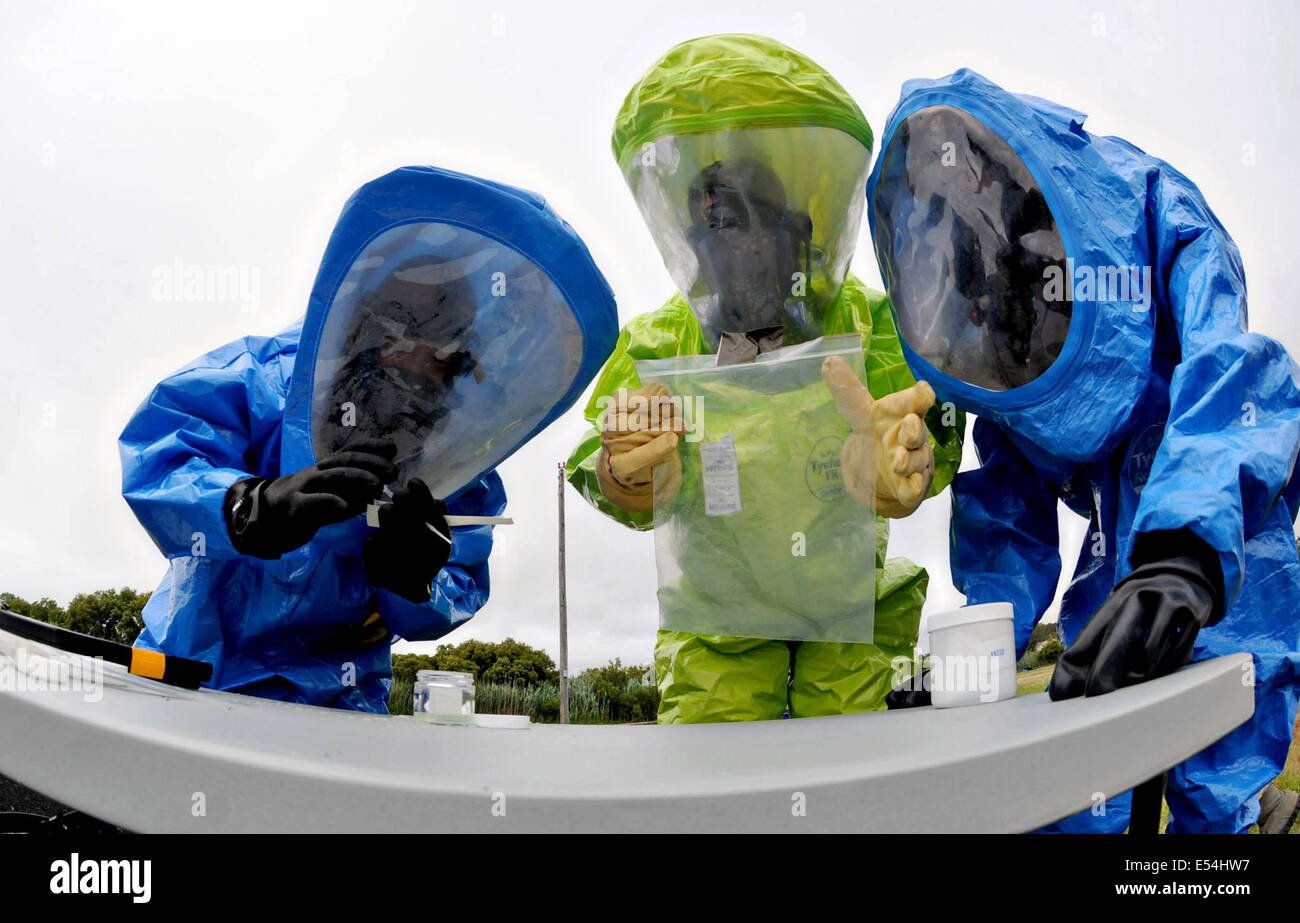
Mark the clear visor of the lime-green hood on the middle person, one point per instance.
(757, 227)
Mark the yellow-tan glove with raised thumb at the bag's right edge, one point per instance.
(889, 437)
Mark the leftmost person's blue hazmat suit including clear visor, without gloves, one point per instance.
(309, 627)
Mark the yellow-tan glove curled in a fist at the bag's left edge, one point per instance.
(639, 431)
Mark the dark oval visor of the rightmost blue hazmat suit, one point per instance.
(969, 249)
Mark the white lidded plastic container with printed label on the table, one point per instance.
(973, 656)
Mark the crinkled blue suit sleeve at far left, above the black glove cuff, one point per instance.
(200, 432)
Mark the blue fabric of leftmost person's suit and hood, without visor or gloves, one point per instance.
(302, 629)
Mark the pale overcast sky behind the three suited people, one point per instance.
(231, 135)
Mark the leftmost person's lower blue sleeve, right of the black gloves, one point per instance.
(462, 587)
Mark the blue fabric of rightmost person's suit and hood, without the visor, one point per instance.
(1156, 417)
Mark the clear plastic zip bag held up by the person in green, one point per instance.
(760, 538)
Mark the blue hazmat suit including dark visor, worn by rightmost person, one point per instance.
(1082, 300)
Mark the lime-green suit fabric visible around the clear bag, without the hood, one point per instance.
(709, 678)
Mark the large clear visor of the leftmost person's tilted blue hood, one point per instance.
(447, 344)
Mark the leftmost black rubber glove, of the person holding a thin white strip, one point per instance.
(267, 519)
